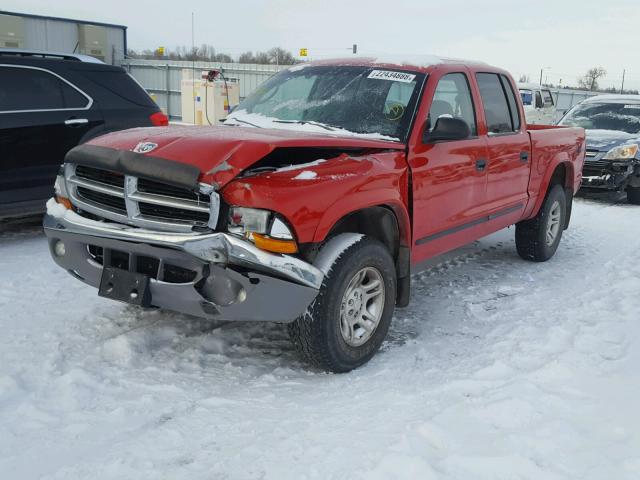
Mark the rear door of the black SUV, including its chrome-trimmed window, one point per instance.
(42, 116)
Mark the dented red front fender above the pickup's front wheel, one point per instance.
(314, 197)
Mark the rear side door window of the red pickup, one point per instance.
(498, 100)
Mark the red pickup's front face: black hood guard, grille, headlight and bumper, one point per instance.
(145, 232)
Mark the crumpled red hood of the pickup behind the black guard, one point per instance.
(222, 152)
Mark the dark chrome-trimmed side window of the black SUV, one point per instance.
(30, 89)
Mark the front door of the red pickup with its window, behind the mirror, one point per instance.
(449, 177)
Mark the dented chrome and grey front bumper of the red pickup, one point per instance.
(212, 275)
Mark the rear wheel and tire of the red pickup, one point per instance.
(537, 239)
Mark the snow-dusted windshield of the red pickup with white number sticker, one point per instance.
(342, 100)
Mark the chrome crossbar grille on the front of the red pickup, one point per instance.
(141, 202)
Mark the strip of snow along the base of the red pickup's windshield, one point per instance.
(262, 121)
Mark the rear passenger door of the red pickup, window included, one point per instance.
(508, 143)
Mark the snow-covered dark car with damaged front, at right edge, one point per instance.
(612, 159)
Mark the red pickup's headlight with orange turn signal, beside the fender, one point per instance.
(263, 228)
